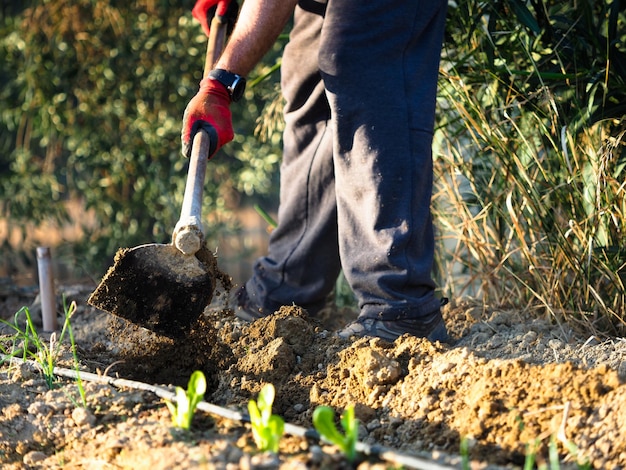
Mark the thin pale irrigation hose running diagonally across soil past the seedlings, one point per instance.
(309, 434)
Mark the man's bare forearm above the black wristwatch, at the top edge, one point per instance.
(259, 24)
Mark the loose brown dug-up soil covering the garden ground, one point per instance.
(510, 382)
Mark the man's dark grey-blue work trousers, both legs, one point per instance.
(360, 84)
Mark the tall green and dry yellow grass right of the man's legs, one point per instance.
(530, 197)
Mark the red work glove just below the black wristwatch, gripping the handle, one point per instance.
(208, 110)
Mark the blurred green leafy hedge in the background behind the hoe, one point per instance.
(92, 108)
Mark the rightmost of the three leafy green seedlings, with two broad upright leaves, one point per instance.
(324, 423)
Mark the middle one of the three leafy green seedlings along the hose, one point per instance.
(267, 429)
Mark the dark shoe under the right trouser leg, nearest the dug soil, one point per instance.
(433, 330)
